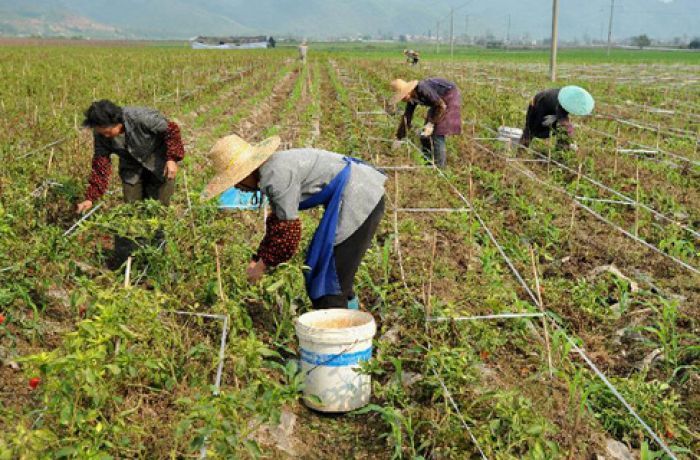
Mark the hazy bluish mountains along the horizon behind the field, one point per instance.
(180, 19)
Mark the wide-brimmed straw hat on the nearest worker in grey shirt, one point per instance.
(234, 159)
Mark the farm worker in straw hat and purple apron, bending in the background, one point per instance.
(443, 118)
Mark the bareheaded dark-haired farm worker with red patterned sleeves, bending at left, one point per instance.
(149, 148)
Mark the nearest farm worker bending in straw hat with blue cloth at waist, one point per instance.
(351, 192)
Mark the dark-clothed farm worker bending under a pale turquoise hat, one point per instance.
(549, 112)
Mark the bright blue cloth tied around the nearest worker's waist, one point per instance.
(322, 278)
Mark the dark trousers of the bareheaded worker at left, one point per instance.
(148, 187)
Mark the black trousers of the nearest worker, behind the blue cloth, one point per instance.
(348, 256)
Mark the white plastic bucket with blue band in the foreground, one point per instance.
(332, 343)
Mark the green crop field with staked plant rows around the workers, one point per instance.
(530, 303)
